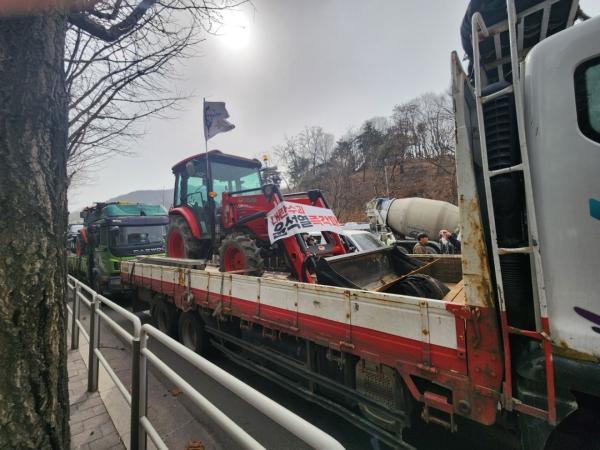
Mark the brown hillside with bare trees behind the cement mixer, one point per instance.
(410, 153)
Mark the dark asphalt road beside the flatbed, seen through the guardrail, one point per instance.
(273, 436)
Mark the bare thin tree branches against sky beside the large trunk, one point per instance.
(113, 86)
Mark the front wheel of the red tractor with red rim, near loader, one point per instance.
(239, 252)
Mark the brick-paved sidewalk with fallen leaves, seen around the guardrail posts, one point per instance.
(178, 428)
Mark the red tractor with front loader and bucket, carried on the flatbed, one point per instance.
(221, 205)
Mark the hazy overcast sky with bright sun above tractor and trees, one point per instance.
(332, 63)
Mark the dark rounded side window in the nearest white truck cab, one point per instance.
(587, 98)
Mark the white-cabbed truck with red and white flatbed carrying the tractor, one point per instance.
(512, 345)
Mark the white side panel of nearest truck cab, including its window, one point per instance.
(562, 100)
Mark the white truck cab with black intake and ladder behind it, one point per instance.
(528, 154)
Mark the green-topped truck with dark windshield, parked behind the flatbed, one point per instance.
(111, 233)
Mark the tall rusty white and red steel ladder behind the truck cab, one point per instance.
(480, 32)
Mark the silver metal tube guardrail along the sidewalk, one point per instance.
(140, 425)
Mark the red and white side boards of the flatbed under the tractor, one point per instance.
(373, 325)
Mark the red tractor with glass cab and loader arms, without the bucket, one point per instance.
(221, 205)
